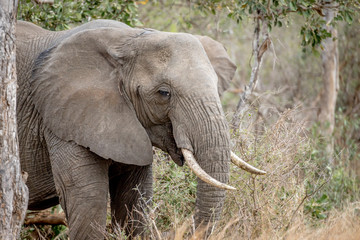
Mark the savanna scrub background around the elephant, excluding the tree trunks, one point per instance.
(304, 195)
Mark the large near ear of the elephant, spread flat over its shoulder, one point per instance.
(76, 89)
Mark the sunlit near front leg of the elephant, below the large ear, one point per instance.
(81, 181)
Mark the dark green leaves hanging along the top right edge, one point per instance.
(277, 14)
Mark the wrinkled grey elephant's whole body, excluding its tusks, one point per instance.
(92, 102)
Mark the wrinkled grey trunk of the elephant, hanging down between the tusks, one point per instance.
(206, 134)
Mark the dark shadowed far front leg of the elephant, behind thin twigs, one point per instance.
(130, 193)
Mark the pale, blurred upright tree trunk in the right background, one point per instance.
(326, 113)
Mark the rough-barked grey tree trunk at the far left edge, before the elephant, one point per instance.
(13, 191)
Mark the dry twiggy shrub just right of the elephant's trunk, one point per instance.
(275, 200)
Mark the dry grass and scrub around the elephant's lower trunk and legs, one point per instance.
(299, 197)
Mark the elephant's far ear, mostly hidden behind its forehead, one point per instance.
(223, 66)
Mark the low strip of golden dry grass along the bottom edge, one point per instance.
(340, 225)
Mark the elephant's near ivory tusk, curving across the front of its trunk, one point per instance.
(200, 173)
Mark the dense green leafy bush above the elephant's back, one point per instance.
(65, 13)
